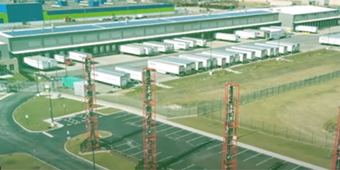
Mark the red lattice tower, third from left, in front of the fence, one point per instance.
(230, 129)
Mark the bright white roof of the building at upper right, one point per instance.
(297, 10)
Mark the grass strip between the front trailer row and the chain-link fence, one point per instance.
(255, 76)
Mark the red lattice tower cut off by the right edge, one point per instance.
(336, 149)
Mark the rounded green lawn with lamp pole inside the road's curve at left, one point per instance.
(37, 110)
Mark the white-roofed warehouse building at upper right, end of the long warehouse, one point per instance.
(307, 15)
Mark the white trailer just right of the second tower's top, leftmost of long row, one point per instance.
(165, 67)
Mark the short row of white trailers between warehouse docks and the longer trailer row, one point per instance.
(151, 48)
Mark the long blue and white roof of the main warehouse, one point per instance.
(87, 27)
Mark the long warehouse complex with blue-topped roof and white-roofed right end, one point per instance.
(104, 38)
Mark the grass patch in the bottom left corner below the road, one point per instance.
(22, 162)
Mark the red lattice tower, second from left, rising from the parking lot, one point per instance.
(149, 119)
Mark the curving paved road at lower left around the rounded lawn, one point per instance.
(14, 139)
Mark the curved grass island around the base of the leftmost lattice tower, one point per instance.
(104, 159)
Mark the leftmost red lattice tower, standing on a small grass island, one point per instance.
(90, 100)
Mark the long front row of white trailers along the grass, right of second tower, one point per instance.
(187, 64)
